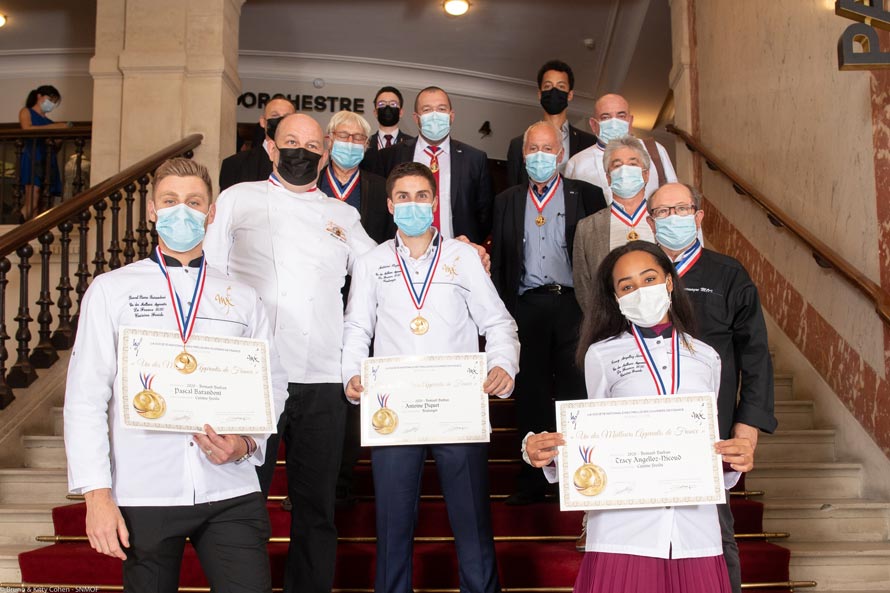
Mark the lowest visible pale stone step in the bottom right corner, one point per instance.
(842, 566)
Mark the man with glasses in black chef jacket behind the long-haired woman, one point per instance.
(729, 319)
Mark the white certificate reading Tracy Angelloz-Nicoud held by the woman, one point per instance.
(639, 452)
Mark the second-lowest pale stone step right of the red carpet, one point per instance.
(828, 519)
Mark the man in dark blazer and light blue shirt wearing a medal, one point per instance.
(531, 266)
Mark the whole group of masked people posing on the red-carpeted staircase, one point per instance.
(594, 232)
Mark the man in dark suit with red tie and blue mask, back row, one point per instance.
(461, 171)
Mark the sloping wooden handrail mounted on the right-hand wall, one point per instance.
(824, 255)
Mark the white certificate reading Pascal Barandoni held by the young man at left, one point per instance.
(229, 387)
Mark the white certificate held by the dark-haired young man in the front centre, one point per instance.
(413, 400)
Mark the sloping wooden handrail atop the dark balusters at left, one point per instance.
(50, 219)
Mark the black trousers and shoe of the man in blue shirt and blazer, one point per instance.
(548, 332)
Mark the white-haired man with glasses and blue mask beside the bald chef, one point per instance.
(347, 137)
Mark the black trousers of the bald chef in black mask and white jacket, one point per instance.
(312, 427)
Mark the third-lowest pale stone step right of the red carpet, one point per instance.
(805, 480)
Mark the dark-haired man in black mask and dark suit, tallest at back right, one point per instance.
(556, 83)
